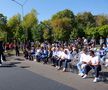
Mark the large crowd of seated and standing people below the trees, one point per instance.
(82, 53)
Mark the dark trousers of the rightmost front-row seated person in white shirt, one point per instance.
(95, 68)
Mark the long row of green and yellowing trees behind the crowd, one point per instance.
(63, 26)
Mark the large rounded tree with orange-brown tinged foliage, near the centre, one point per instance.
(63, 22)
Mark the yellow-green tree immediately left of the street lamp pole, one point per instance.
(15, 30)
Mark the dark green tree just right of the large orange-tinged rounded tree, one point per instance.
(84, 21)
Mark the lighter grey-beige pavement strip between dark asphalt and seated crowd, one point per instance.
(66, 78)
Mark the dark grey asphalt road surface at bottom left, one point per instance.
(15, 78)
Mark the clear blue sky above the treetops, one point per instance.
(47, 8)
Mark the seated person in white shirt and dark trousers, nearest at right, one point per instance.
(93, 64)
